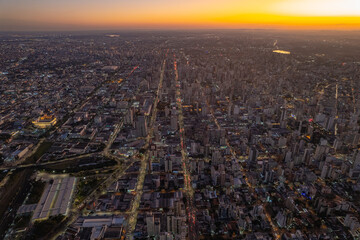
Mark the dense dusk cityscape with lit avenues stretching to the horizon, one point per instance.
(181, 135)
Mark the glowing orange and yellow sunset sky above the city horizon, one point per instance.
(181, 14)
